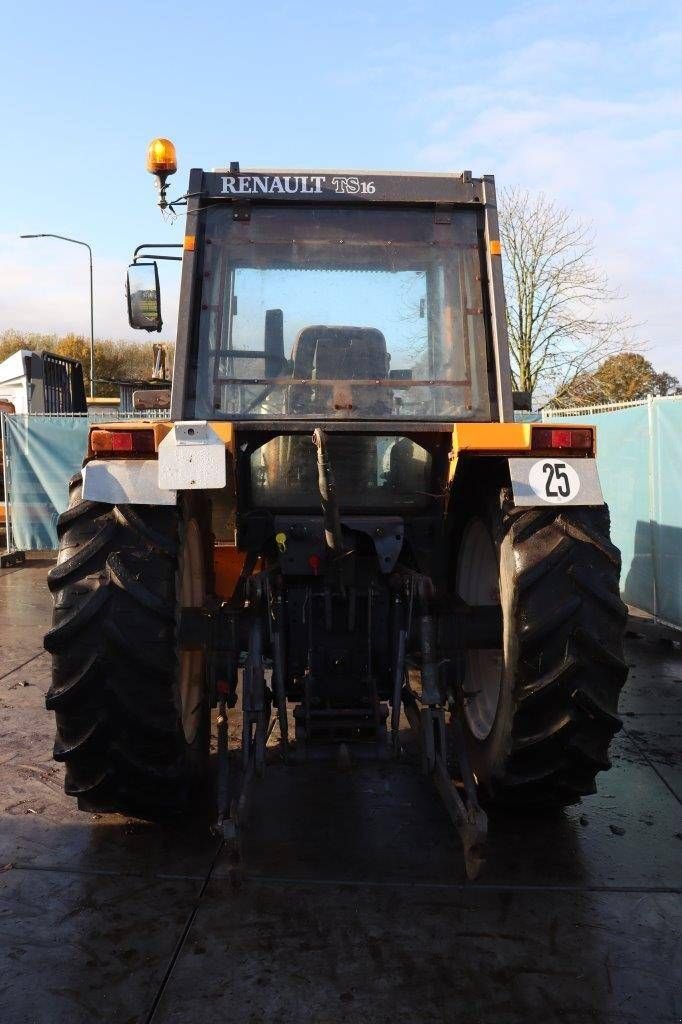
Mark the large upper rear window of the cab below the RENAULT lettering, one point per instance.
(336, 312)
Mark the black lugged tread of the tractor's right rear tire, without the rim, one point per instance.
(570, 622)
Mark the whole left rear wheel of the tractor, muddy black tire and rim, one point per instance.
(133, 715)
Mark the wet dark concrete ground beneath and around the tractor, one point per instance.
(355, 906)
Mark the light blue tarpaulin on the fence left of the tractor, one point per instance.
(42, 453)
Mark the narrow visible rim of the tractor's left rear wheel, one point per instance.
(193, 590)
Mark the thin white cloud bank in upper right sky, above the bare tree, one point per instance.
(612, 157)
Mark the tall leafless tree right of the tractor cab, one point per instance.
(558, 301)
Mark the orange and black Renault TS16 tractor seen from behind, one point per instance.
(338, 529)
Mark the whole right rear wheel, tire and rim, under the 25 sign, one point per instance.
(540, 713)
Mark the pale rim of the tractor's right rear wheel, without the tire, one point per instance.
(479, 585)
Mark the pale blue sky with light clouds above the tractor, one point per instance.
(581, 101)
